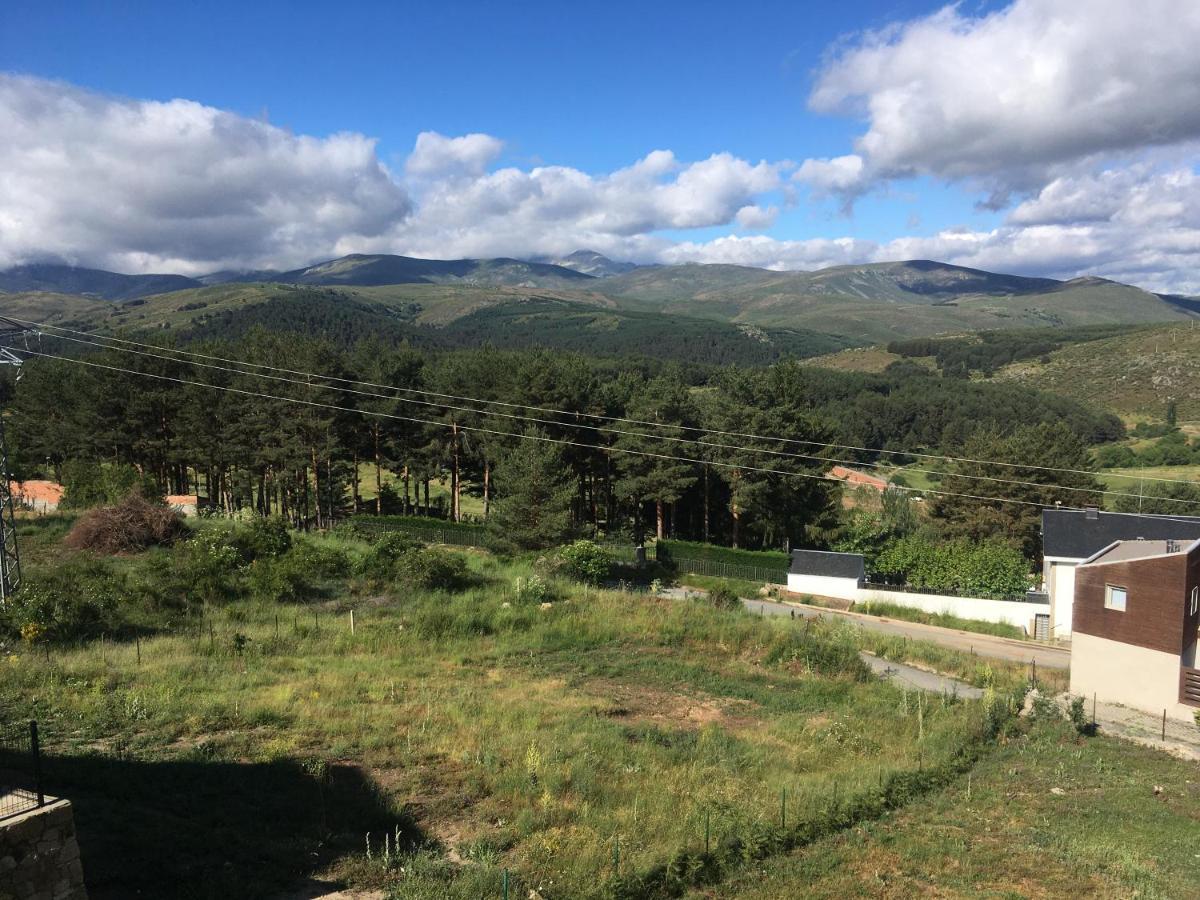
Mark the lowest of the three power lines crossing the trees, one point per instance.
(517, 435)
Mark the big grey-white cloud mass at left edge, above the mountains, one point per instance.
(177, 187)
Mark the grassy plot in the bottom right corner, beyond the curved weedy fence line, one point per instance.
(1004, 832)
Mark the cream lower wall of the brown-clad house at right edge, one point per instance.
(1129, 675)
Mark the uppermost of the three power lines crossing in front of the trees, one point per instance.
(596, 416)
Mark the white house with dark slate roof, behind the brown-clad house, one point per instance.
(1070, 537)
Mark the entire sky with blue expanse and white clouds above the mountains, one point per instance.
(1040, 137)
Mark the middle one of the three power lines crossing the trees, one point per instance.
(593, 428)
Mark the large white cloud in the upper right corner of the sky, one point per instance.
(1016, 98)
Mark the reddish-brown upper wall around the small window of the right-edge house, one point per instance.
(1157, 604)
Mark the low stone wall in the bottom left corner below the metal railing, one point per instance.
(40, 857)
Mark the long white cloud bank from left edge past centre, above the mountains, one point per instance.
(178, 187)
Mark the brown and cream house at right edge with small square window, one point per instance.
(1137, 614)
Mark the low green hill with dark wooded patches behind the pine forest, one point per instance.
(434, 316)
